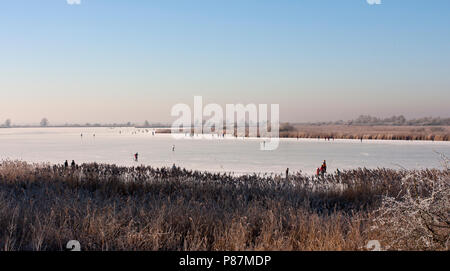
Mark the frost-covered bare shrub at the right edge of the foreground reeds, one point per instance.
(420, 218)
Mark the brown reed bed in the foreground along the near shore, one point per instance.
(106, 207)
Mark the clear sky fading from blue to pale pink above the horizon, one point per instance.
(132, 60)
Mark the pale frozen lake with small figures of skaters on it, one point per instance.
(117, 145)
